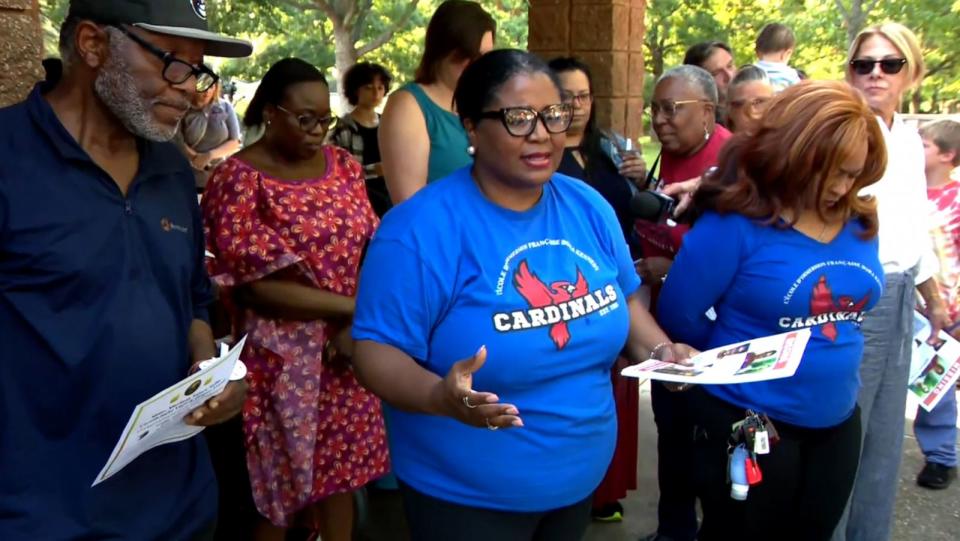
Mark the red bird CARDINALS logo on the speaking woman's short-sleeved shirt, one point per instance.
(554, 305)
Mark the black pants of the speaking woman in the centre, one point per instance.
(432, 519)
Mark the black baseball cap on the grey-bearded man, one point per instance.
(181, 18)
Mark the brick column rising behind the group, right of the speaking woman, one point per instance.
(608, 36)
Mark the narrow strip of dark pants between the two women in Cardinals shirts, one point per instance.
(676, 508)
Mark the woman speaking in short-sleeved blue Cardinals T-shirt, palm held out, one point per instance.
(492, 307)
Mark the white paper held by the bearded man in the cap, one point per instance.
(159, 420)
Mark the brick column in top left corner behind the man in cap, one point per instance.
(21, 48)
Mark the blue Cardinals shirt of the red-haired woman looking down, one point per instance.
(764, 280)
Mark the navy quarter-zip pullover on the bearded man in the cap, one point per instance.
(97, 294)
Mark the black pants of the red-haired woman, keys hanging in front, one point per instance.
(807, 477)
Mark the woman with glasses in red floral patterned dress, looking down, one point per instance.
(287, 220)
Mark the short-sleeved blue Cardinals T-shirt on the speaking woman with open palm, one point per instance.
(545, 290)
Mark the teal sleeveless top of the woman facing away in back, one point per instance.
(448, 140)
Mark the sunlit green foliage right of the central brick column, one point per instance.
(823, 28)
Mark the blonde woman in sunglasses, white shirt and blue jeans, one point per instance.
(885, 61)
